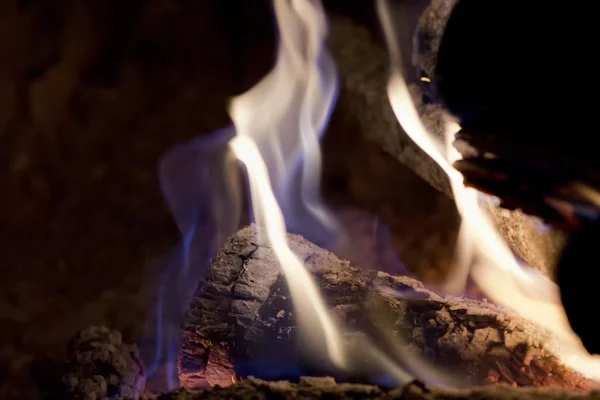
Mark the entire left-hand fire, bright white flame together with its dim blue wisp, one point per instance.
(277, 124)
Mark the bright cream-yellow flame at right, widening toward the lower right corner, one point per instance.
(483, 253)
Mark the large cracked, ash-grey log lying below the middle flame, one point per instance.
(241, 322)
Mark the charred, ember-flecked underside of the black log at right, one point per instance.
(527, 177)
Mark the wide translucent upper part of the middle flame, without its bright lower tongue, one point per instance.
(286, 112)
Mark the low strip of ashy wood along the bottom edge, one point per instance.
(319, 388)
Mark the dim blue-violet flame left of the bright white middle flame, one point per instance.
(200, 183)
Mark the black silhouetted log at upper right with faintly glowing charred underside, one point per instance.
(480, 74)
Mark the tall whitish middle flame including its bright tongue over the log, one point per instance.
(278, 124)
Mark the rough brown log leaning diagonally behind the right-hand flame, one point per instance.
(363, 67)
